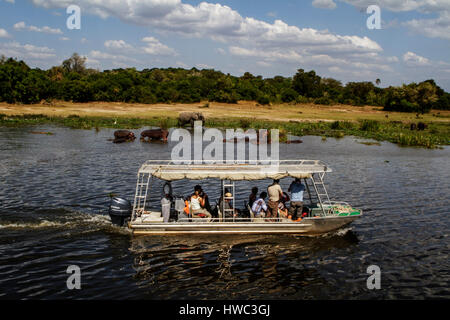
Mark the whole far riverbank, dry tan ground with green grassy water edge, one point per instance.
(326, 121)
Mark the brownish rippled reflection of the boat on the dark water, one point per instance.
(235, 266)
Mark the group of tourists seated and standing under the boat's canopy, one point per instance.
(198, 206)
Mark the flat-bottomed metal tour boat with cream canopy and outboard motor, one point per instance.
(321, 215)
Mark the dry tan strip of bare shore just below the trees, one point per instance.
(244, 109)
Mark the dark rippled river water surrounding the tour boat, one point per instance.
(53, 204)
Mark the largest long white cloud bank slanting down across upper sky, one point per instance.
(218, 22)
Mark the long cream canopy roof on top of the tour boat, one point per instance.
(256, 170)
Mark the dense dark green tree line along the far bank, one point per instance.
(72, 81)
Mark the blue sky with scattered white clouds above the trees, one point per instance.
(263, 37)
